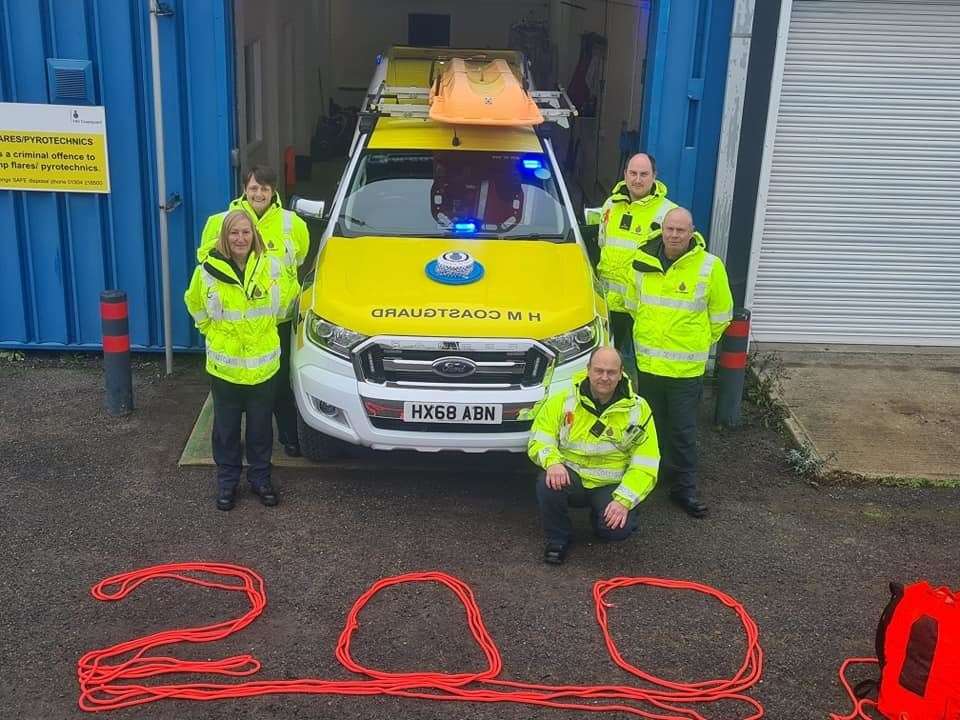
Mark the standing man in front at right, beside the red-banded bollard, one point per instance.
(681, 303)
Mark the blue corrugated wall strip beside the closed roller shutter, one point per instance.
(687, 56)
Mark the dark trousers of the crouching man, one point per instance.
(555, 513)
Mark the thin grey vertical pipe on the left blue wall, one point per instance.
(157, 9)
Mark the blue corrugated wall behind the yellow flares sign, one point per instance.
(65, 248)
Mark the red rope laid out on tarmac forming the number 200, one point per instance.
(99, 671)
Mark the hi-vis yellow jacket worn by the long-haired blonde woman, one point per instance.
(238, 316)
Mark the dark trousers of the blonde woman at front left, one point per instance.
(230, 402)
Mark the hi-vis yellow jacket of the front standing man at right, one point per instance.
(680, 313)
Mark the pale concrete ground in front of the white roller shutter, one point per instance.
(875, 412)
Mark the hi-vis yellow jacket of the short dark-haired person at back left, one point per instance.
(284, 233)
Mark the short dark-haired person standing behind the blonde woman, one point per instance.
(287, 239)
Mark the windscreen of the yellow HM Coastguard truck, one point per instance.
(445, 193)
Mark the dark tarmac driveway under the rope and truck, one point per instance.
(87, 496)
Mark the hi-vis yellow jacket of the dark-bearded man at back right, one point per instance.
(625, 227)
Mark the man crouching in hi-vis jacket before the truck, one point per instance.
(597, 446)
